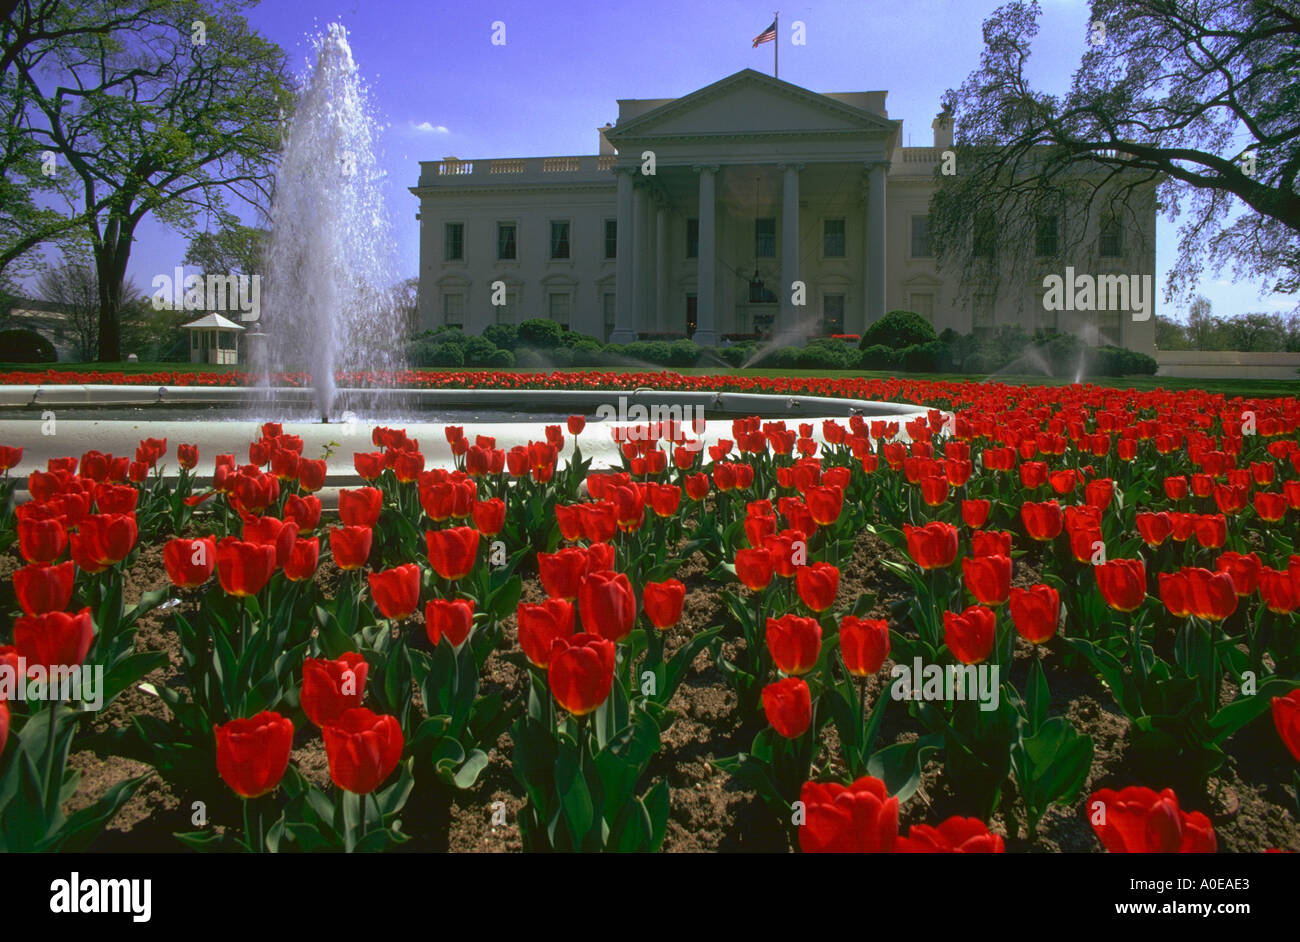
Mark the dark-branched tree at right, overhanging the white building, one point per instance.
(1198, 103)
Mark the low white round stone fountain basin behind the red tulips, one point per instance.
(226, 420)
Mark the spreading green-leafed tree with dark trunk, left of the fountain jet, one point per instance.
(174, 114)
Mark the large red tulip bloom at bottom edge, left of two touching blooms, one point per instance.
(859, 819)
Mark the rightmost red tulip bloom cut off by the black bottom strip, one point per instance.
(1138, 821)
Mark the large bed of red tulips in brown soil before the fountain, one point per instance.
(1050, 619)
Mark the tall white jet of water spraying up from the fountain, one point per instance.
(330, 270)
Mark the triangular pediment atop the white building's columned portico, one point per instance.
(749, 103)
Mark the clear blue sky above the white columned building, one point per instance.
(441, 88)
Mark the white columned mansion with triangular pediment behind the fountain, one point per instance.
(701, 215)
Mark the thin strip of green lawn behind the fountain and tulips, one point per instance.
(1229, 388)
